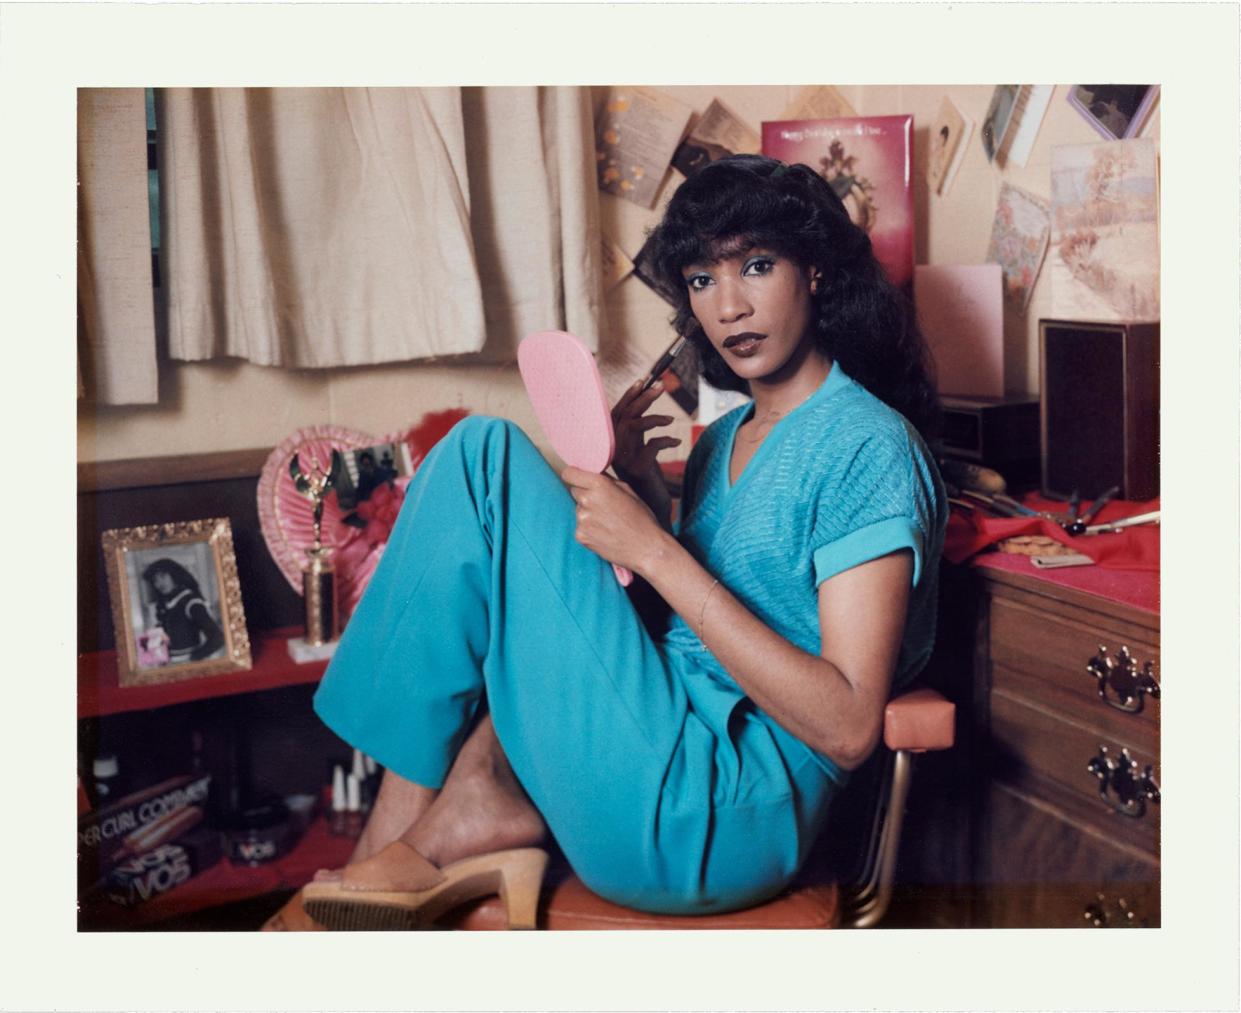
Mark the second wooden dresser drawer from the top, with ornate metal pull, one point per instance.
(1051, 758)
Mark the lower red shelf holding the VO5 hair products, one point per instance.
(225, 883)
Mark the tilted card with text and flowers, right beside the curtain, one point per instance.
(636, 136)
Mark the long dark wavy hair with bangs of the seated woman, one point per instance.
(864, 322)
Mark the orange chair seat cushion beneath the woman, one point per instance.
(567, 904)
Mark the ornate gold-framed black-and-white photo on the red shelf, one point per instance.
(176, 601)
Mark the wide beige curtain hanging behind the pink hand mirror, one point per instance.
(349, 227)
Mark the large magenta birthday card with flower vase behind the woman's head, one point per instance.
(867, 161)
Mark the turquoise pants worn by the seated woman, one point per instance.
(667, 790)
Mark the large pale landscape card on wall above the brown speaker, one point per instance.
(1105, 232)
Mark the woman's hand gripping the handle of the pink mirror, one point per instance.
(612, 521)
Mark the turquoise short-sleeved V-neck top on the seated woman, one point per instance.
(840, 481)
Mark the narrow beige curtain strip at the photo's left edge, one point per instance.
(116, 308)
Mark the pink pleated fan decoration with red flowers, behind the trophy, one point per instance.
(287, 518)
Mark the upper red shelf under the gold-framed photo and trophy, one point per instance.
(100, 692)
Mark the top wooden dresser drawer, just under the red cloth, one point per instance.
(1048, 659)
